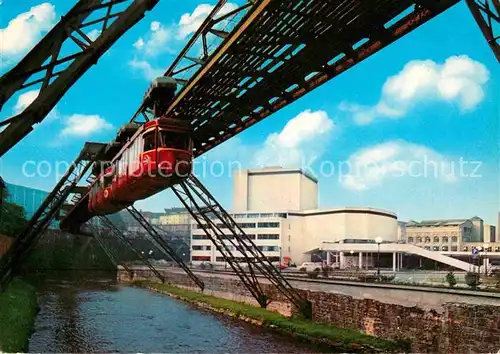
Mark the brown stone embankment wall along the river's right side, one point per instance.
(455, 327)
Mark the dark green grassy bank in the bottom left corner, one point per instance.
(18, 308)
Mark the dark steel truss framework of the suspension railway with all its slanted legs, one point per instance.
(255, 60)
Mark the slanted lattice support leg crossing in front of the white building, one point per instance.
(212, 218)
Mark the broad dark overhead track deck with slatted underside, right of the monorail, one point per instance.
(282, 50)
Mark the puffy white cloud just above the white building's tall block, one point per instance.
(302, 140)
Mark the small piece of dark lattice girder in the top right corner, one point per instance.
(487, 15)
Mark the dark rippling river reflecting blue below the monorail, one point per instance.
(99, 315)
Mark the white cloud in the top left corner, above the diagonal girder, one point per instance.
(25, 30)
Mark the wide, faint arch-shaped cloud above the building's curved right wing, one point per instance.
(371, 166)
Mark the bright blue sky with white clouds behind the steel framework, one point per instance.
(431, 96)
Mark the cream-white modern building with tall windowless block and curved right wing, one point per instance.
(278, 209)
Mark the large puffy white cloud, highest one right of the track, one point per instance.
(459, 80)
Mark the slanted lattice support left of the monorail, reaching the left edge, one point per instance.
(42, 218)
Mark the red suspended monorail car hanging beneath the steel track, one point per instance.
(156, 156)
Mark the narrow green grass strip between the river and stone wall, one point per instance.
(342, 339)
